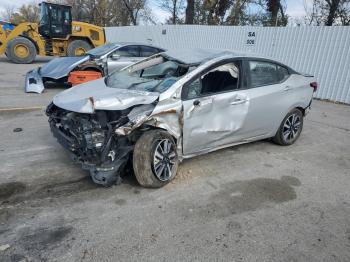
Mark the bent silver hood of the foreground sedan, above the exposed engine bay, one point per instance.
(95, 95)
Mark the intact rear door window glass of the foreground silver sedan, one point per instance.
(265, 73)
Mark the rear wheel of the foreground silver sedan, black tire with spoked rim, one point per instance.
(290, 128)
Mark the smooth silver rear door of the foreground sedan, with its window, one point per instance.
(270, 95)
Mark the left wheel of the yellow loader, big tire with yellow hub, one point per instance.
(21, 50)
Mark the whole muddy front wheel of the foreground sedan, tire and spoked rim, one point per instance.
(155, 159)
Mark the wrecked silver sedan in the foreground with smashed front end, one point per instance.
(156, 117)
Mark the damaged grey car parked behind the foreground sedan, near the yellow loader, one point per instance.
(103, 59)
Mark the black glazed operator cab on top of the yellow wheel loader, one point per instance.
(55, 20)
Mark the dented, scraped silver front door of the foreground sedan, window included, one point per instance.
(214, 107)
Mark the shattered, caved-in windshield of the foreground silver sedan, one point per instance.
(153, 75)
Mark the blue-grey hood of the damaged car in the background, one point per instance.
(62, 66)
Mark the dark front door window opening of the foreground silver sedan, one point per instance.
(221, 79)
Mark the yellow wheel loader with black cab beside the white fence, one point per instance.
(55, 35)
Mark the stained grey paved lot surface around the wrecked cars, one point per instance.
(255, 202)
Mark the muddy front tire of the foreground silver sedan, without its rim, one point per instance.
(143, 157)
